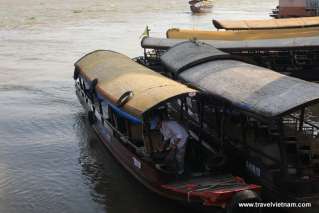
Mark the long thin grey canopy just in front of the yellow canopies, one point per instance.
(288, 43)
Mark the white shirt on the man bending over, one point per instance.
(171, 130)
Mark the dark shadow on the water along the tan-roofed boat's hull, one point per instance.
(112, 186)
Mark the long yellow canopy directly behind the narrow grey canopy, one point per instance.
(175, 33)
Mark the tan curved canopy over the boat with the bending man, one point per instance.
(118, 74)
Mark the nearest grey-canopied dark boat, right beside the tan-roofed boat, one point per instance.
(260, 118)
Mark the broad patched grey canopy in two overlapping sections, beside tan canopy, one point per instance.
(251, 88)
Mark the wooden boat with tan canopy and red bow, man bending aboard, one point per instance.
(121, 96)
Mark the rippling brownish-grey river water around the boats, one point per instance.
(50, 159)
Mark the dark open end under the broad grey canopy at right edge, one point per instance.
(302, 141)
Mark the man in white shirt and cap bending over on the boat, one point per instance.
(177, 136)
